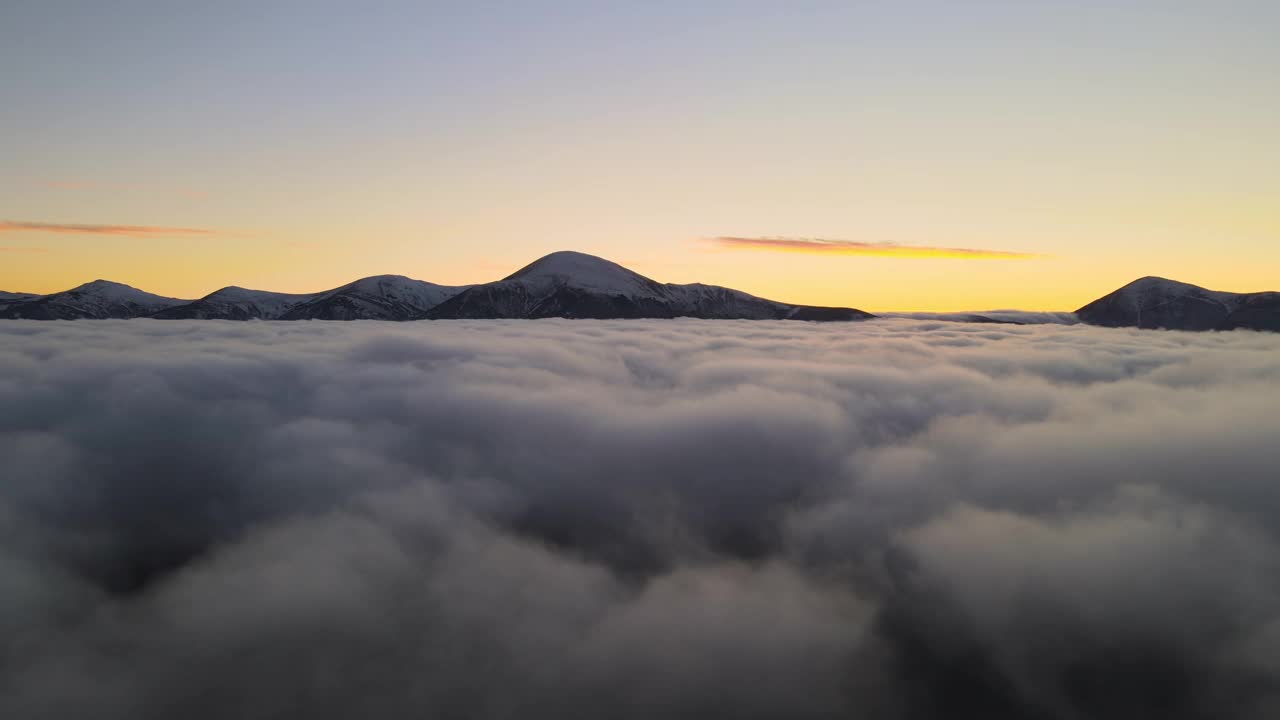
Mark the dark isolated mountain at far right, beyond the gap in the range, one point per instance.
(1160, 303)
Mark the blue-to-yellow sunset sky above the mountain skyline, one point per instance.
(181, 147)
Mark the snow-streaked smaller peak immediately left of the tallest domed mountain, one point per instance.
(381, 298)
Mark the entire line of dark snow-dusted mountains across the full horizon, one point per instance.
(574, 285)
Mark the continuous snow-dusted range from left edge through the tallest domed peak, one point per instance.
(561, 285)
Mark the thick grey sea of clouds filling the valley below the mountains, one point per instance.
(892, 520)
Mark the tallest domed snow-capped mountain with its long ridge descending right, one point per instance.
(575, 285)
